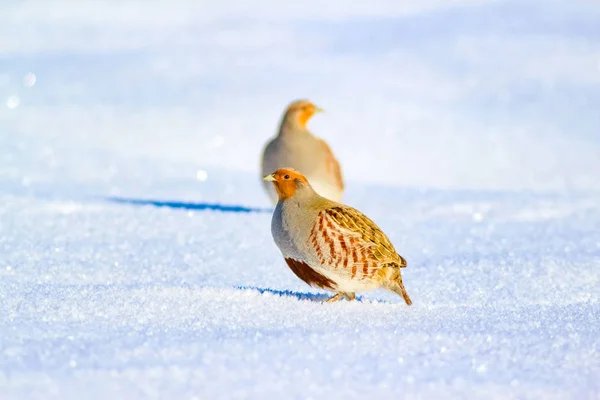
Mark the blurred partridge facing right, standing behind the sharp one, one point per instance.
(296, 147)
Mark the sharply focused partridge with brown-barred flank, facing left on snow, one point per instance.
(330, 245)
